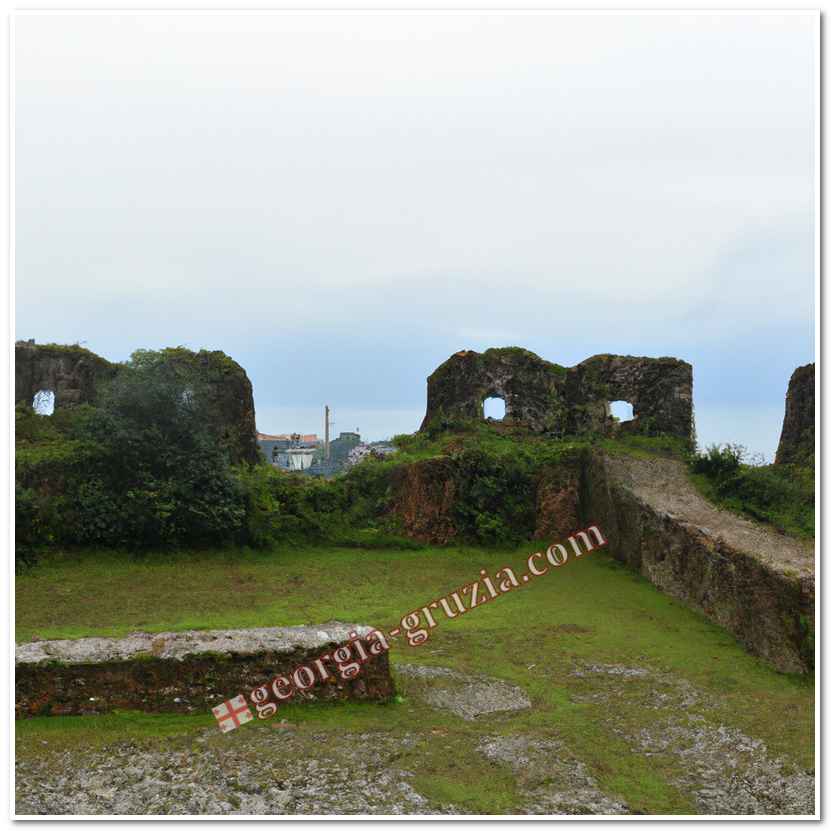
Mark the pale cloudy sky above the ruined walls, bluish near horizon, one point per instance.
(340, 202)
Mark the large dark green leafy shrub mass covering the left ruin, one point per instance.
(138, 469)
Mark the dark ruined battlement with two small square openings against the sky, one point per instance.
(549, 398)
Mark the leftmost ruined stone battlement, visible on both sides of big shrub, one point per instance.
(75, 375)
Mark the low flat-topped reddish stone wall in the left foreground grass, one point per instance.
(182, 672)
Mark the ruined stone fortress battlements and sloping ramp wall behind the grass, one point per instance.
(755, 583)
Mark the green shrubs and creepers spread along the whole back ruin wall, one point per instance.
(141, 469)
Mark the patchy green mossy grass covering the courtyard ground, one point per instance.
(593, 610)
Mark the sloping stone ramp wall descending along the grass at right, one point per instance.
(752, 581)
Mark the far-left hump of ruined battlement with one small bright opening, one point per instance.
(71, 372)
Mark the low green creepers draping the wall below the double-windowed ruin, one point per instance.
(494, 474)
